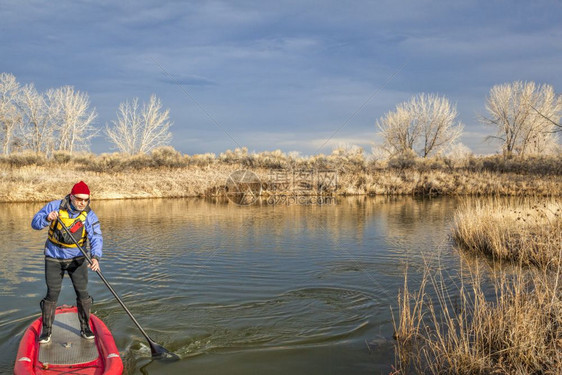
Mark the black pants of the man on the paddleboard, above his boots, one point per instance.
(77, 269)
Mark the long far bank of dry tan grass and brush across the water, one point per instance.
(168, 173)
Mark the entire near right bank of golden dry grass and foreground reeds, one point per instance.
(503, 316)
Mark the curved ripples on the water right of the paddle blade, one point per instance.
(300, 317)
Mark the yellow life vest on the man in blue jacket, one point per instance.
(75, 226)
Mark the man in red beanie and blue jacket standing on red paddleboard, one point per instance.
(62, 254)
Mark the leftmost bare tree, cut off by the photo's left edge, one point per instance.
(10, 118)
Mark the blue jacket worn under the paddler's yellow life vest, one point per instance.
(91, 225)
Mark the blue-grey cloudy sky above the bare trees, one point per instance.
(304, 76)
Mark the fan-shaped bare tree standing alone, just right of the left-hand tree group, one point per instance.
(139, 130)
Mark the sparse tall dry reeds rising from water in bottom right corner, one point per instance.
(515, 329)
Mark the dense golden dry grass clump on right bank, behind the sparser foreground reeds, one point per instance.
(528, 233)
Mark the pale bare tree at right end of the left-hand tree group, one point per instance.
(70, 112)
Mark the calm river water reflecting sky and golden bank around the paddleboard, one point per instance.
(239, 290)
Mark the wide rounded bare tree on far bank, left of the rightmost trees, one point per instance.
(424, 125)
